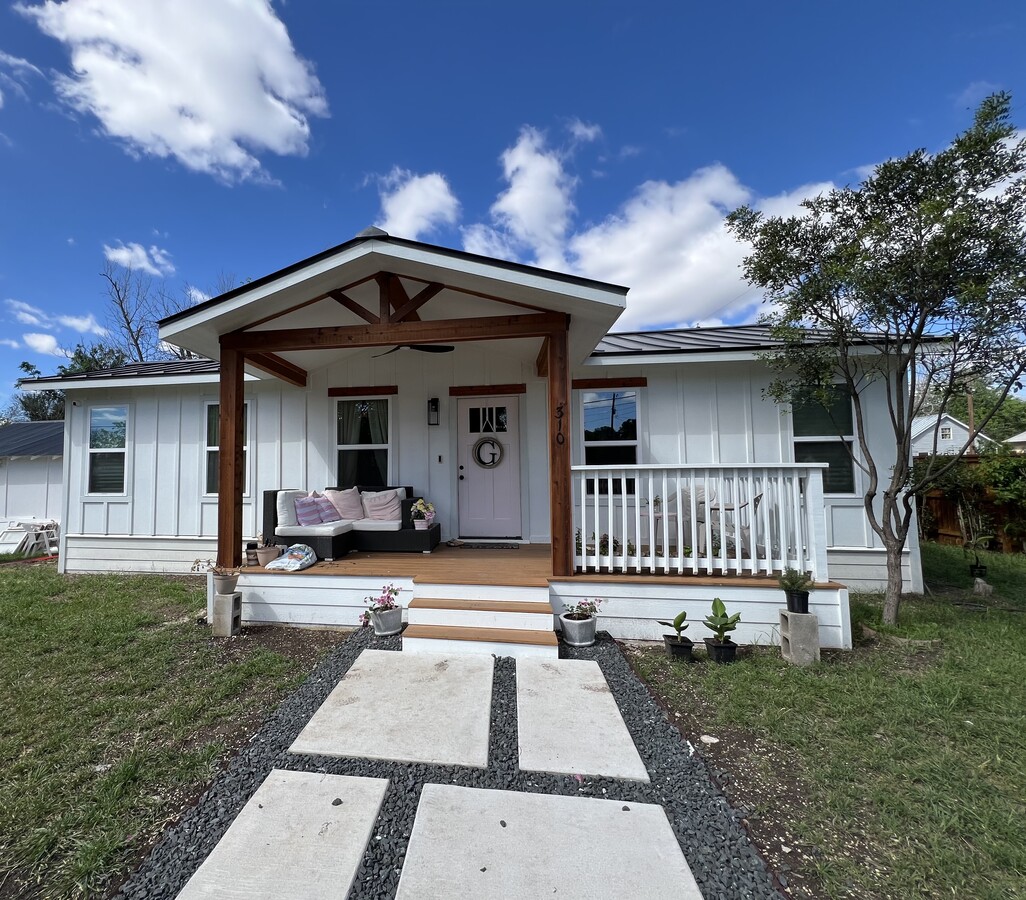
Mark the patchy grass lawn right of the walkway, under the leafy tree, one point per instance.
(894, 771)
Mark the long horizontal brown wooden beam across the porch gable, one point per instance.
(378, 335)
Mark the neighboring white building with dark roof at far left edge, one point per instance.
(31, 471)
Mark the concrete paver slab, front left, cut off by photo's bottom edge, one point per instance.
(294, 839)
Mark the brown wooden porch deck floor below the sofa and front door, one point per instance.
(530, 566)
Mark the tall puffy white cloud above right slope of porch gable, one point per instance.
(534, 213)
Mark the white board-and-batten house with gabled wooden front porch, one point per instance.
(661, 441)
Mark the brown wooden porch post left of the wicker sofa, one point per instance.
(230, 467)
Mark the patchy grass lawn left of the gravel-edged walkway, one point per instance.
(117, 710)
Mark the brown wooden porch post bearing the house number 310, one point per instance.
(561, 495)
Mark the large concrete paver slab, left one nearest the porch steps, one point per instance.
(409, 708)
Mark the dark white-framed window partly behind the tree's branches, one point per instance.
(825, 434)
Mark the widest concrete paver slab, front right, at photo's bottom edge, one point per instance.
(495, 845)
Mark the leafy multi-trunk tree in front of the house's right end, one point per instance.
(913, 284)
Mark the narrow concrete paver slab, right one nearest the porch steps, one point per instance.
(569, 722)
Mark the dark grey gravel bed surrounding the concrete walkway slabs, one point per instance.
(723, 859)
